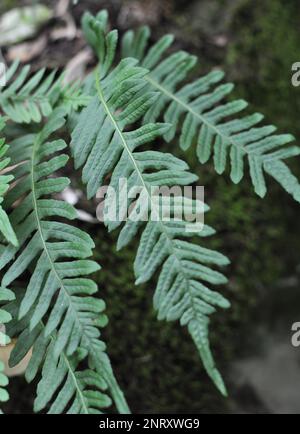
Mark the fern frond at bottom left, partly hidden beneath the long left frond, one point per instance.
(64, 387)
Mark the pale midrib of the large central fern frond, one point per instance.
(172, 249)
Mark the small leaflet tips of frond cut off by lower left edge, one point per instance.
(5, 317)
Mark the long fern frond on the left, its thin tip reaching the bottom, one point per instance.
(58, 292)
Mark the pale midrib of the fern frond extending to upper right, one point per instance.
(203, 120)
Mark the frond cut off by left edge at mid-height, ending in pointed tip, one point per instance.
(5, 226)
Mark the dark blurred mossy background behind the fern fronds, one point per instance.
(255, 42)
